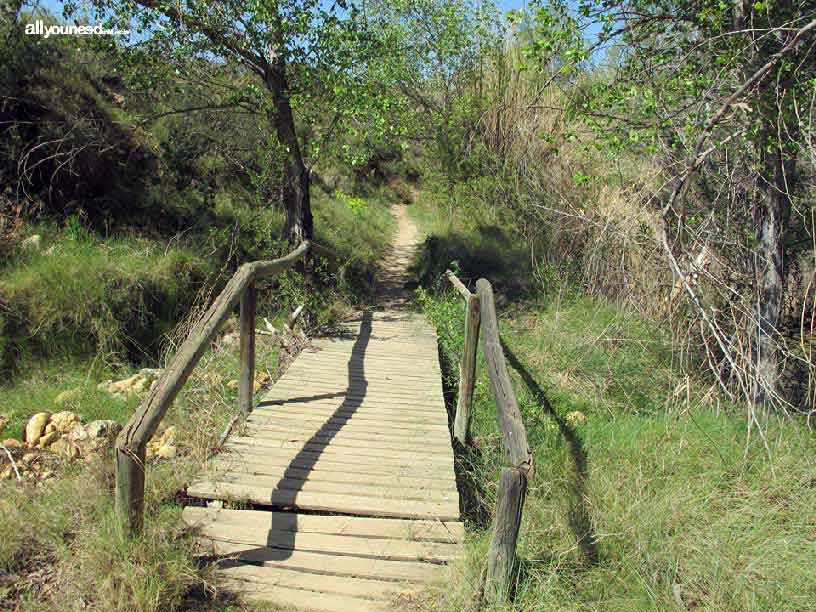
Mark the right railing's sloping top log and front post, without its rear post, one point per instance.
(513, 482)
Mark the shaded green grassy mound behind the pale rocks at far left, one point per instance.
(82, 294)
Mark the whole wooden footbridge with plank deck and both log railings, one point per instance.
(341, 493)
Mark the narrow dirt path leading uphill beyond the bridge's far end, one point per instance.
(394, 273)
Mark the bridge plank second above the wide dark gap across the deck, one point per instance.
(396, 490)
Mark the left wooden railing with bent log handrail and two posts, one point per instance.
(132, 442)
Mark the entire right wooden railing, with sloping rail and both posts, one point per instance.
(512, 491)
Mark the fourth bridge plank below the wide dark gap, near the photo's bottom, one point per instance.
(255, 582)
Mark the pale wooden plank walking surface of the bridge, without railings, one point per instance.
(350, 455)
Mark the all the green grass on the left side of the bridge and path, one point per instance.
(74, 303)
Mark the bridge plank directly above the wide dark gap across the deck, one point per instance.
(328, 502)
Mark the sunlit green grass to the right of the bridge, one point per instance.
(647, 494)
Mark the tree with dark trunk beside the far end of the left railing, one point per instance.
(302, 55)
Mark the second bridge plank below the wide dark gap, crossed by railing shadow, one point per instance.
(374, 548)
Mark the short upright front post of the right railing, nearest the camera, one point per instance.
(501, 560)
